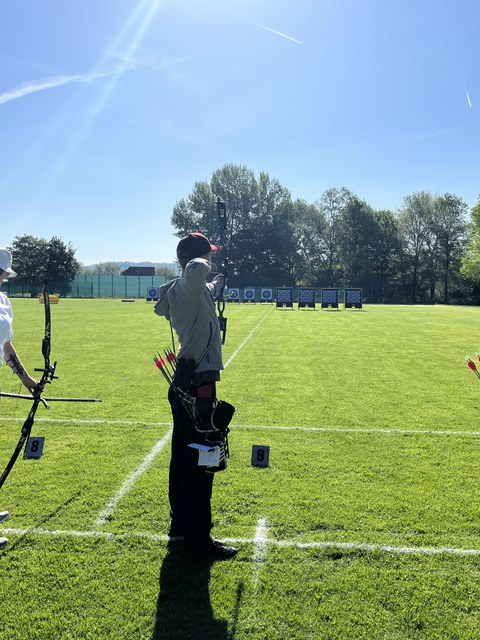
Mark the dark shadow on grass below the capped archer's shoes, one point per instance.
(184, 609)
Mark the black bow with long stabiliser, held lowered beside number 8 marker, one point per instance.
(48, 374)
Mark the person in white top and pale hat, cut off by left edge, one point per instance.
(7, 350)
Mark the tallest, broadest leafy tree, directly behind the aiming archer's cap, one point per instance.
(259, 222)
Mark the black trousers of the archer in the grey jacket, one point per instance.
(190, 486)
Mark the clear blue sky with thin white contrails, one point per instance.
(110, 110)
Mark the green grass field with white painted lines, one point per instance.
(366, 524)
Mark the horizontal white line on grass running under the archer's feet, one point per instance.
(327, 544)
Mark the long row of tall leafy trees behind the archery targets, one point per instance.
(427, 251)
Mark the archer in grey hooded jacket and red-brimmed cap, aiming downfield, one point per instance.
(187, 303)
